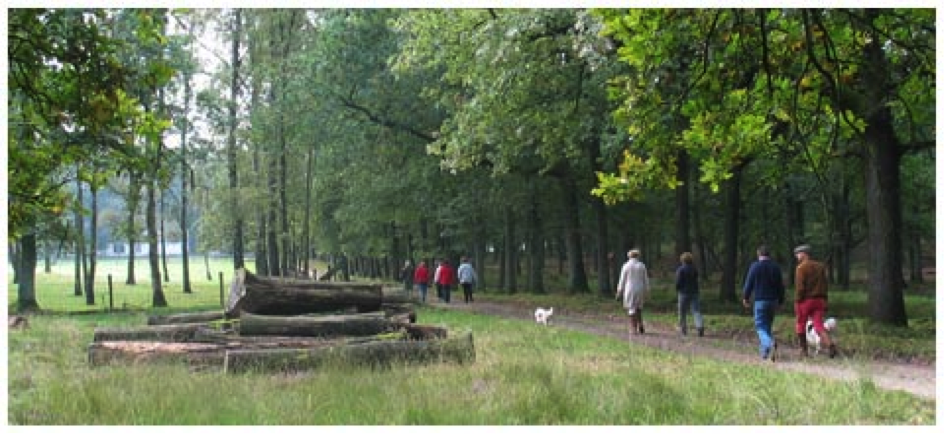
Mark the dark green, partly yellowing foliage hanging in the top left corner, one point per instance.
(69, 103)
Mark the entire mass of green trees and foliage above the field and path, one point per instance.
(515, 136)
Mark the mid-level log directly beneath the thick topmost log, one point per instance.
(323, 326)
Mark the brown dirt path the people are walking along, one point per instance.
(917, 379)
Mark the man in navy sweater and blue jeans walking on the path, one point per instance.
(764, 282)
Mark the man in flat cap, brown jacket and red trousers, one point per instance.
(811, 299)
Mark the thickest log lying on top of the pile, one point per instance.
(253, 294)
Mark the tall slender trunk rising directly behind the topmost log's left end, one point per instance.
(231, 154)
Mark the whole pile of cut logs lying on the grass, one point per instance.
(271, 325)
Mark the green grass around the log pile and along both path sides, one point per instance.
(523, 375)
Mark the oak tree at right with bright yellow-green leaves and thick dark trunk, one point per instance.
(836, 82)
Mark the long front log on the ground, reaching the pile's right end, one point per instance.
(374, 354)
